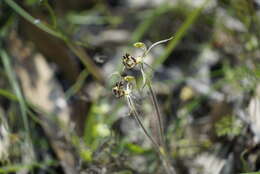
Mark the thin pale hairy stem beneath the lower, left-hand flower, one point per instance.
(159, 149)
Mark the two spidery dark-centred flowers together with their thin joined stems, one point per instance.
(124, 88)
